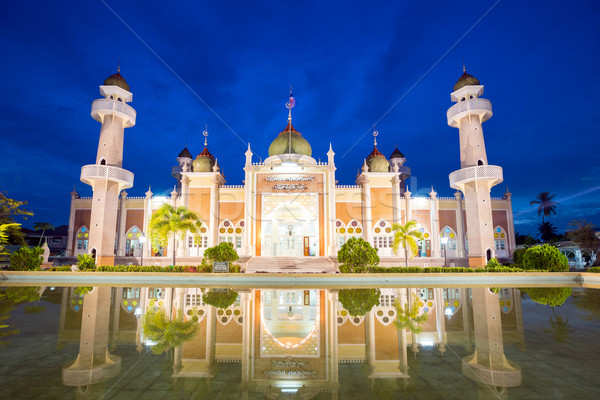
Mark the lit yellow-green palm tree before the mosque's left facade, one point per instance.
(169, 221)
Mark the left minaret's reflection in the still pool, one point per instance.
(94, 364)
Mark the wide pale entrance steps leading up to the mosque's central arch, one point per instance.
(298, 265)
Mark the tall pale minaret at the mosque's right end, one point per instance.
(475, 178)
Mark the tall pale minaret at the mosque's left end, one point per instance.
(106, 177)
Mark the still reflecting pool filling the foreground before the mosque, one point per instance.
(381, 343)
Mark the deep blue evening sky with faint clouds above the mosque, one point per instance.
(351, 64)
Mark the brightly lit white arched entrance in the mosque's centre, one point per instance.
(290, 231)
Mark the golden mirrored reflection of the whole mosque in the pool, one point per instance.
(293, 342)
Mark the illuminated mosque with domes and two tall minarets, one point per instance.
(290, 209)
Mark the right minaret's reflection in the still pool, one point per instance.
(488, 364)
